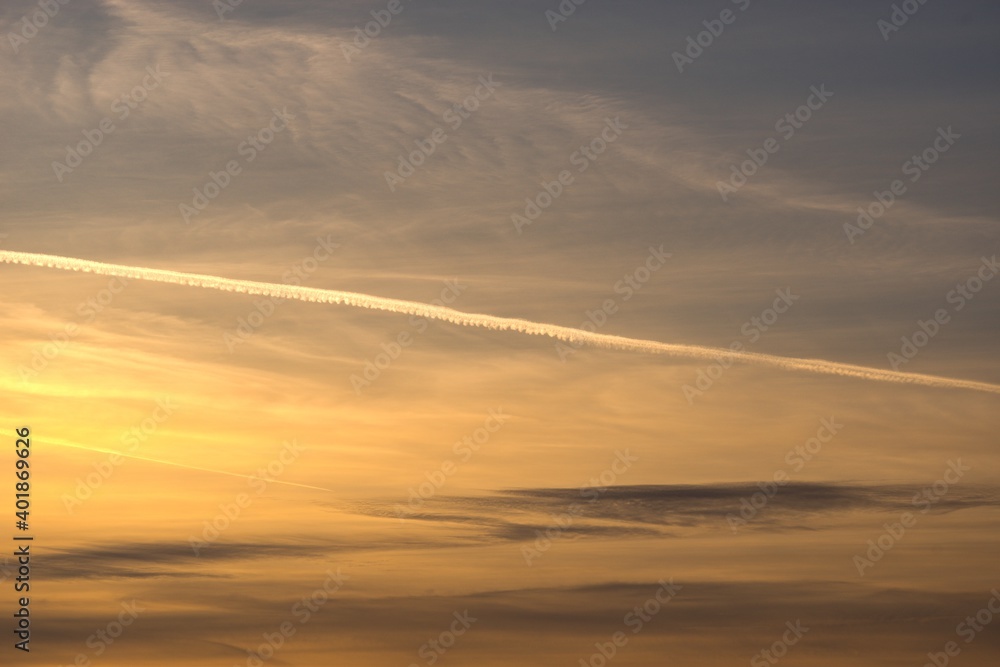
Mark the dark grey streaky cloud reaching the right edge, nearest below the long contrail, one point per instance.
(651, 510)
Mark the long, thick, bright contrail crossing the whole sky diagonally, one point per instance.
(567, 334)
